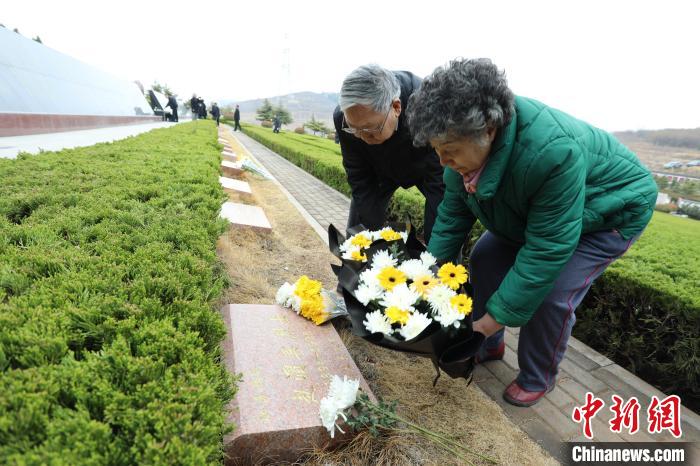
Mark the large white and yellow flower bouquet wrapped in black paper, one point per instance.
(399, 298)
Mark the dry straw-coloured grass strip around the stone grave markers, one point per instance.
(453, 408)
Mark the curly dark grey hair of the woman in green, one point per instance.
(461, 99)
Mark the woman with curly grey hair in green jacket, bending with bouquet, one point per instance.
(560, 200)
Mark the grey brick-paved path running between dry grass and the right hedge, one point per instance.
(582, 370)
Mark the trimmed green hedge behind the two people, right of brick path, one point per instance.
(644, 312)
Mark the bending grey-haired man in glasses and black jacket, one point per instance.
(377, 147)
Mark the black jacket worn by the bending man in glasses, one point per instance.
(396, 160)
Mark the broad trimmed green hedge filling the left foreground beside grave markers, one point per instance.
(109, 336)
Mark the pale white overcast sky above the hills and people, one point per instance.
(618, 64)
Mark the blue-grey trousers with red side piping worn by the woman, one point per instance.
(542, 341)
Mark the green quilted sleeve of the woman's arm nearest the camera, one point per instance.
(551, 236)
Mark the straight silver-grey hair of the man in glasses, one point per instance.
(370, 85)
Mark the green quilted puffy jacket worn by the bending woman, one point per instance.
(549, 178)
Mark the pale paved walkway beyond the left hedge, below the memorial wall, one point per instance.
(34, 143)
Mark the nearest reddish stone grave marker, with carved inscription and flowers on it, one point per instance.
(287, 363)
